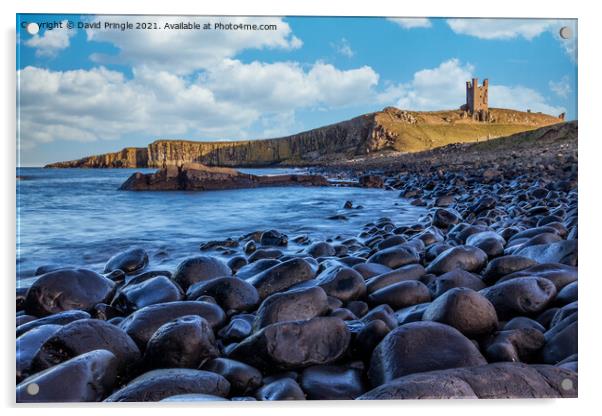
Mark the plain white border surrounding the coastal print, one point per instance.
(589, 184)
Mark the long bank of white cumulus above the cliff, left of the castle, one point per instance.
(99, 104)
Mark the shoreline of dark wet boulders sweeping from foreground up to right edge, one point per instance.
(477, 299)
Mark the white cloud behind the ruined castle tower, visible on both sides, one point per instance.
(444, 87)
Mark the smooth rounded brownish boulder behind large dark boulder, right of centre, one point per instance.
(464, 309)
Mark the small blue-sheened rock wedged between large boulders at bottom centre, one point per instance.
(328, 382)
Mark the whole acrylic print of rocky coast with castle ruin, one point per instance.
(295, 208)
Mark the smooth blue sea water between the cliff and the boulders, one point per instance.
(78, 217)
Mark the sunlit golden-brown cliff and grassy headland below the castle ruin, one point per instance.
(390, 129)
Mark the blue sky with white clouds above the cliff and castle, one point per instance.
(89, 90)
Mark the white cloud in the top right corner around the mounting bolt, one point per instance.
(513, 28)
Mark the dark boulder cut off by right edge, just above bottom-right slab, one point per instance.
(561, 340)
